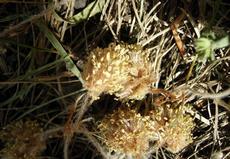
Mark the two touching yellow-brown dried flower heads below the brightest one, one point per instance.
(126, 131)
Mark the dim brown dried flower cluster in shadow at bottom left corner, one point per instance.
(23, 140)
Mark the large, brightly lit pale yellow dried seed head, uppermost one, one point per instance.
(122, 70)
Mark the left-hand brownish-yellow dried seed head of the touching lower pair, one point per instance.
(126, 131)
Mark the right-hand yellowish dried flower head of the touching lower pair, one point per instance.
(175, 124)
